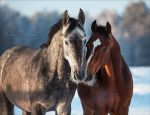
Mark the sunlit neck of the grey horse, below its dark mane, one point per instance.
(55, 57)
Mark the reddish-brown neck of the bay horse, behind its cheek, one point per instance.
(113, 66)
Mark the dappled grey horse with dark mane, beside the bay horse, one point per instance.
(38, 81)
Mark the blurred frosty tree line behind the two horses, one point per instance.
(132, 30)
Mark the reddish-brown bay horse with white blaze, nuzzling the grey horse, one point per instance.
(111, 88)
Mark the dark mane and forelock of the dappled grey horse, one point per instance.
(58, 26)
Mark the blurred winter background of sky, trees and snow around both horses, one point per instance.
(27, 23)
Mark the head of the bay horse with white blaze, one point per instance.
(98, 51)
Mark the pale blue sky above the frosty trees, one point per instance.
(93, 8)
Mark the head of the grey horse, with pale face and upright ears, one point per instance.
(74, 44)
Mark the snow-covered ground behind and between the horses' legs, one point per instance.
(140, 104)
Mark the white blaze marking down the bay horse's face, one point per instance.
(95, 43)
